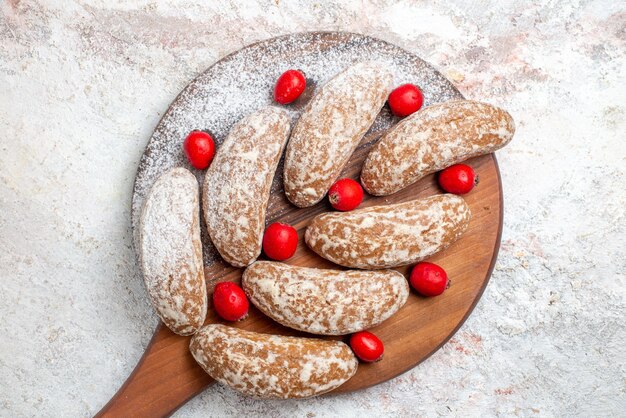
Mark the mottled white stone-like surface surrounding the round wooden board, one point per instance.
(83, 84)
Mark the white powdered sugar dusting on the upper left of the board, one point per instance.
(243, 82)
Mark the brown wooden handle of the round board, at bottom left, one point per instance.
(162, 381)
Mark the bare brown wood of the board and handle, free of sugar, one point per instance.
(167, 376)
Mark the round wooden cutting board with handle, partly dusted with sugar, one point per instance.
(167, 375)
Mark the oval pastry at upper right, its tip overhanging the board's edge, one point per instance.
(432, 139)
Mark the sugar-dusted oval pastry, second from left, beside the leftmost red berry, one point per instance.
(237, 184)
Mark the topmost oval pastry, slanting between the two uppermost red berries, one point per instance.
(330, 128)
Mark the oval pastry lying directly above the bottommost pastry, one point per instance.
(326, 302)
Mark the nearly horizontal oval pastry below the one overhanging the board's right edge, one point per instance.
(389, 236)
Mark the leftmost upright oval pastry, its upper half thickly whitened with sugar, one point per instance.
(171, 252)
